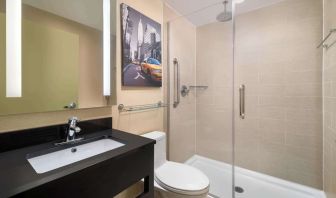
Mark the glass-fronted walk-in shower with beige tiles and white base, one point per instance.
(246, 95)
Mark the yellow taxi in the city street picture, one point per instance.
(152, 68)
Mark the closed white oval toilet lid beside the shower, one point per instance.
(181, 178)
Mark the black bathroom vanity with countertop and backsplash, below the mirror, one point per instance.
(101, 175)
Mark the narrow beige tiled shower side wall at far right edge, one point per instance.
(329, 103)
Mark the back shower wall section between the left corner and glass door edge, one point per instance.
(214, 104)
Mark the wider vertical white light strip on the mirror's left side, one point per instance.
(13, 48)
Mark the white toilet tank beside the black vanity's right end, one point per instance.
(159, 148)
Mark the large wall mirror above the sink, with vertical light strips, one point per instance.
(62, 56)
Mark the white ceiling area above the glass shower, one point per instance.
(201, 12)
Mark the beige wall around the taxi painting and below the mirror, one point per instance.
(138, 123)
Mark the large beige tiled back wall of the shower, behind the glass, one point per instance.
(277, 60)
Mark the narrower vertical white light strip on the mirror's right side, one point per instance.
(107, 47)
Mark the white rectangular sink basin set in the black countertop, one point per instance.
(57, 159)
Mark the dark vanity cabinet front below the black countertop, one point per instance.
(103, 180)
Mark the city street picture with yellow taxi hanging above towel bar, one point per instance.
(141, 49)
